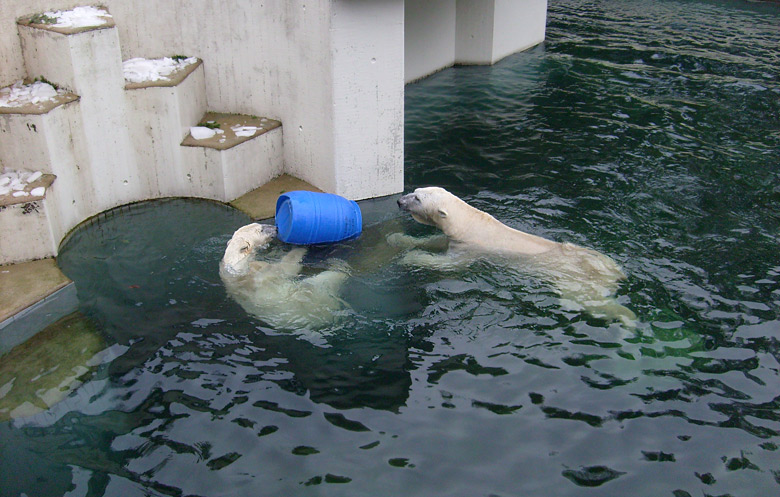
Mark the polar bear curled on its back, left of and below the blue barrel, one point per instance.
(274, 292)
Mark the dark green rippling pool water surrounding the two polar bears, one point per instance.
(647, 130)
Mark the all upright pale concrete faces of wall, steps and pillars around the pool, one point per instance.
(330, 72)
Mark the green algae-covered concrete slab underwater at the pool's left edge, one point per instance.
(46, 368)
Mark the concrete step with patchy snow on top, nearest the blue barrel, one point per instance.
(242, 153)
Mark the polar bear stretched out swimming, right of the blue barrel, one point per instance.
(582, 276)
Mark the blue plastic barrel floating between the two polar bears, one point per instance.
(305, 218)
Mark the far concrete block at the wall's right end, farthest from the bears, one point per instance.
(489, 30)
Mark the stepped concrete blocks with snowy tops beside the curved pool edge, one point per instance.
(104, 142)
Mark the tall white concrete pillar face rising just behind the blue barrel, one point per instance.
(367, 64)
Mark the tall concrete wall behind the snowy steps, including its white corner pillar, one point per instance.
(277, 58)
